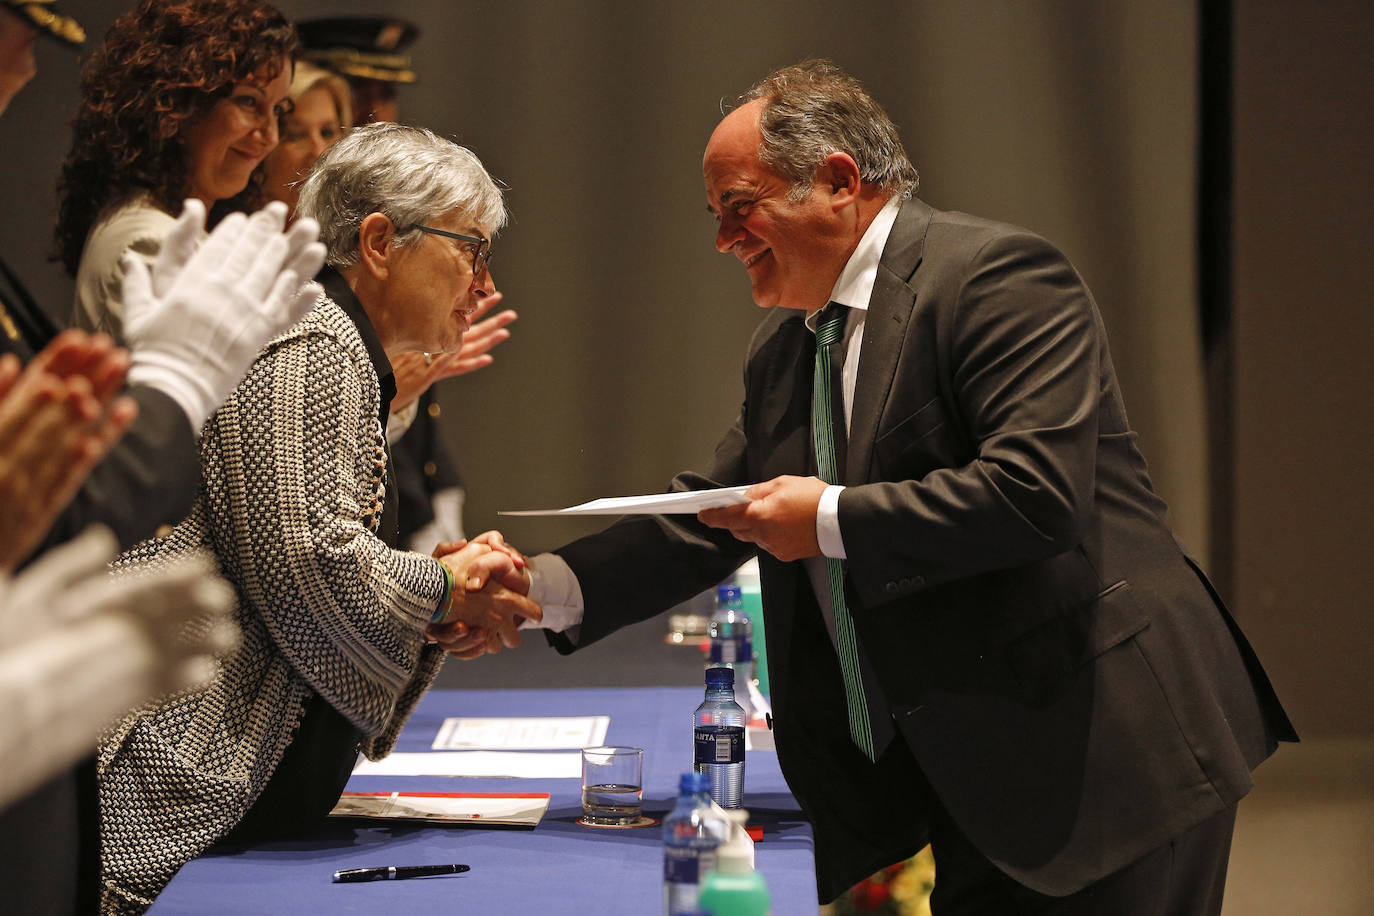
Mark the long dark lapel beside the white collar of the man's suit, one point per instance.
(886, 332)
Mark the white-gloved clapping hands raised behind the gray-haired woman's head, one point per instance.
(197, 322)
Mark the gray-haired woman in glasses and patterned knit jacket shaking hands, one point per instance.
(300, 516)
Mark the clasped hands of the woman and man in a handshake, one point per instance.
(488, 599)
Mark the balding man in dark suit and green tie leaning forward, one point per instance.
(982, 631)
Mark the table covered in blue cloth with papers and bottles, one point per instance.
(560, 867)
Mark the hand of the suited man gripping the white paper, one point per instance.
(780, 517)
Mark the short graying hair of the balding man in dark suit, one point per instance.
(814, 109)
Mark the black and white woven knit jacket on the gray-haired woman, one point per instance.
(295, 480)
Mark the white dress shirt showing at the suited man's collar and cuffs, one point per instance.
(553, 583)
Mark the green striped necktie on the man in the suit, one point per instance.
(822, 424)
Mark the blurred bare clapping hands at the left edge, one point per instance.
(58, 418)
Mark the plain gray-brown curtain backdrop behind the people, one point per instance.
(1079, 120)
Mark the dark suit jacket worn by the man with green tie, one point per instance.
(1066, 679)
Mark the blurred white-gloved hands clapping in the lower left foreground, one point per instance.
(108, 646)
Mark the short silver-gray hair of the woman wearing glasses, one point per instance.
(410, 175)
